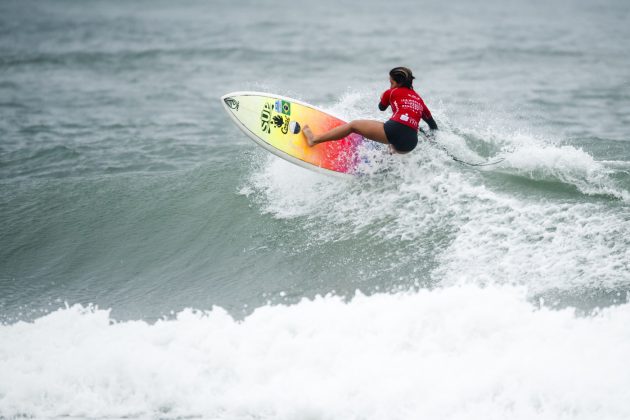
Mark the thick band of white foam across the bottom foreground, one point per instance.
(457, 353)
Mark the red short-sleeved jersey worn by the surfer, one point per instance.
(407, 106)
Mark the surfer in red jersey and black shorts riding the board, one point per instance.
(400, 132)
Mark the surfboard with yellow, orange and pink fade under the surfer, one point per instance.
(275, 123)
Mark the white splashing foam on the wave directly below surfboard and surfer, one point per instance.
(487, 237)
